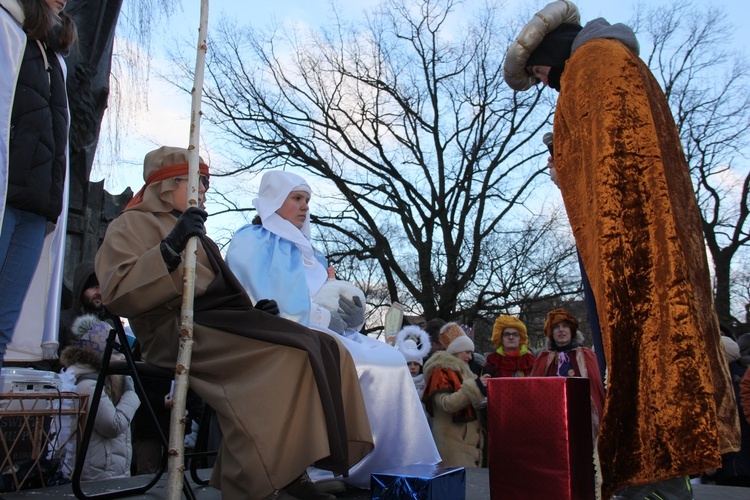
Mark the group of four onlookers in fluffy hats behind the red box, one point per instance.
(454, 396)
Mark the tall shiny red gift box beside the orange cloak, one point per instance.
(540, 443)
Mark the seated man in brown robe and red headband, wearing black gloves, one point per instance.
(286, 397)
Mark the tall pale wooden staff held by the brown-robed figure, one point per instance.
(182, 369)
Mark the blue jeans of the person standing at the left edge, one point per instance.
(21, 241)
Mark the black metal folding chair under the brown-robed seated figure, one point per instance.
(117, 340)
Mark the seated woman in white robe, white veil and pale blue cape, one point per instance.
(275, 260)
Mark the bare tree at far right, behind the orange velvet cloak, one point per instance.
(706, 86)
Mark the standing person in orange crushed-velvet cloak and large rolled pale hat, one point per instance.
(629, 197)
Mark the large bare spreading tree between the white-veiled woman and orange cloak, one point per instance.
(408, 116)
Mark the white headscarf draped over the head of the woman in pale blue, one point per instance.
(275, 186)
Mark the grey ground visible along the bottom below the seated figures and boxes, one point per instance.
(477, 488)
